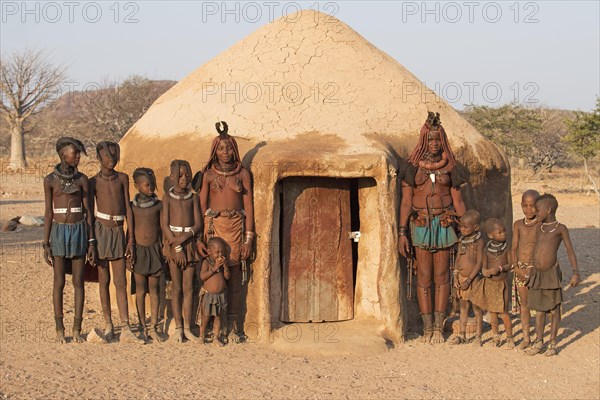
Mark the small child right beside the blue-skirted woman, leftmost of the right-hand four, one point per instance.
(467, 266)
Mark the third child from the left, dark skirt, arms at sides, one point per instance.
(148, 259)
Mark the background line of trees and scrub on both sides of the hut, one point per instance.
(34, 117)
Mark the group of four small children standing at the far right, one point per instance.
(481, 272)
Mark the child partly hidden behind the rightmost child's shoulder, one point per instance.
(524, 236)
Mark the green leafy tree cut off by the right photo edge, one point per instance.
(583, 138)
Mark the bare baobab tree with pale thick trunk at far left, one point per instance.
(28, 83)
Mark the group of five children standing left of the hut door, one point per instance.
(170, 229)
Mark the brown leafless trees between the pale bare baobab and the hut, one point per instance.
(115, 107)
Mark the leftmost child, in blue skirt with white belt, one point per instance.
(66, 222)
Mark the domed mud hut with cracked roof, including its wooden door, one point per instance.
(322, 118)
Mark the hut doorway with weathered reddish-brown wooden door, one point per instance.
(318, 258)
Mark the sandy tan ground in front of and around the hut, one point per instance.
(308, 361)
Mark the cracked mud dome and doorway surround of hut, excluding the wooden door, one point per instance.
(358, 113)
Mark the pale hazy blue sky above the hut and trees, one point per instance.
(482, 52)
